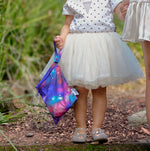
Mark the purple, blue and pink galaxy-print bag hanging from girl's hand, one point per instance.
(54, 90)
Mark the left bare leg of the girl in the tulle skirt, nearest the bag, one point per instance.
(80, 107)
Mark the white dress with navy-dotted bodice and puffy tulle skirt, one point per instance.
(94, 55)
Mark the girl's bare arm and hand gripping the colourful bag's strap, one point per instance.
(60, 40)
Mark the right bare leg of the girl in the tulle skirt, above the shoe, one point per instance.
(99, 106)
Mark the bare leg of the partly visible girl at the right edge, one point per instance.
(146, 52)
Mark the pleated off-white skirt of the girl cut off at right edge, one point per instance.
(137, 21)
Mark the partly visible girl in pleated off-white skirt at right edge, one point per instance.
(137, 29)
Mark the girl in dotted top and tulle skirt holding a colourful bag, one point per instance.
(93, 57)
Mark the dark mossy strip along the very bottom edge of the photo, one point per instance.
(81, 147)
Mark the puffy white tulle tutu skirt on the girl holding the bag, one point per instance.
(91, 60)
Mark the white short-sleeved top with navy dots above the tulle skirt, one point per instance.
(91, 15)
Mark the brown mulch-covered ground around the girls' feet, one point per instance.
(38, 128)
